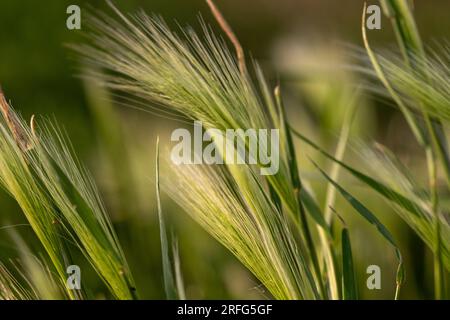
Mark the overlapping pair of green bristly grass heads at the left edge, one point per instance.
(59, 200)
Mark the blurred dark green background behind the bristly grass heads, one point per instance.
(291, 39)
